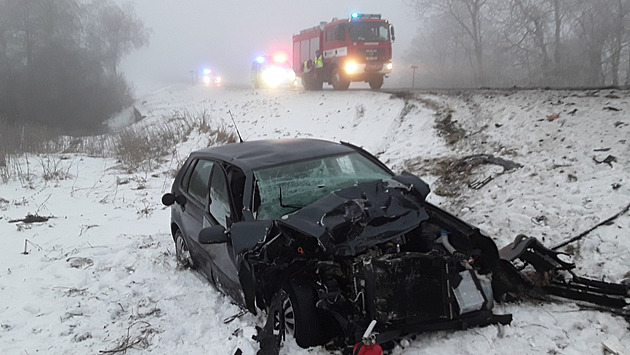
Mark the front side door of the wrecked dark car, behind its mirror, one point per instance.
(220, 212)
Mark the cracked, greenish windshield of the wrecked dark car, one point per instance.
(287, 188)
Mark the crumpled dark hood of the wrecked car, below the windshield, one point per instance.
(349, 221)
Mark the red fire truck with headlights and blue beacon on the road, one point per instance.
(358, 48)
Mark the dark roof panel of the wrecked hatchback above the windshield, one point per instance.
(265, 153)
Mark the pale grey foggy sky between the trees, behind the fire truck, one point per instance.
(226, 37)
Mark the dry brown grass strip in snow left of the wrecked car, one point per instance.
(138, 147)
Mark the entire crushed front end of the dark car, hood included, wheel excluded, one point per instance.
(378, 251)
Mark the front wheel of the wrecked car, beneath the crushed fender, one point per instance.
(302, 319)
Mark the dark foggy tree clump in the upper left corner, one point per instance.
(59, 58)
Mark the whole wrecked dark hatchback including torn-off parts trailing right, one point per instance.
(338, 249)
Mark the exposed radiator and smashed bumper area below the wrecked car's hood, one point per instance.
(411, 292)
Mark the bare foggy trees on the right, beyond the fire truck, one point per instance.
(504, 43)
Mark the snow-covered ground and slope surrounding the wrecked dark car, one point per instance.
(100, 274)
